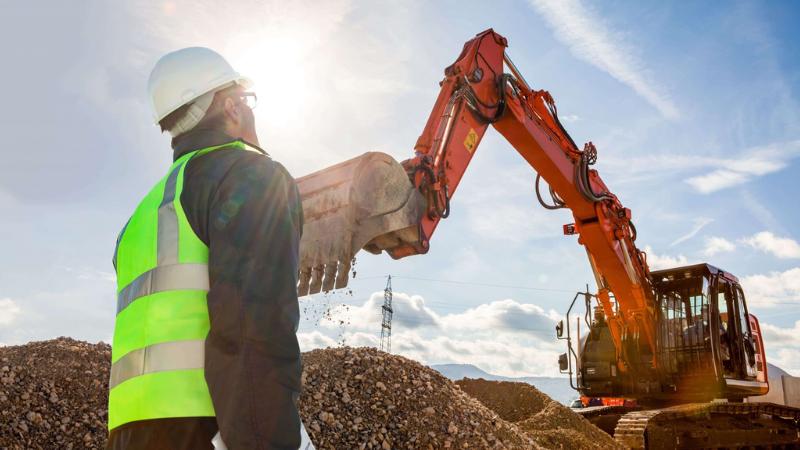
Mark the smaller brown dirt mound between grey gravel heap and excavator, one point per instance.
(549, 423)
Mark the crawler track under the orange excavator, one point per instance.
(712, 426)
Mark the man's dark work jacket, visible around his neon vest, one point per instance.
(246, 208)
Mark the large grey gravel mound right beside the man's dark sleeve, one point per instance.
(359, 398)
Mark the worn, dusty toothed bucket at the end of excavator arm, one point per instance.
(367, 202)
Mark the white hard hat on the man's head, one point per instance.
(184, 75)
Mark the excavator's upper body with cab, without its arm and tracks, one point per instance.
(709, 344)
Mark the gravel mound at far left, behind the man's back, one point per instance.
(54, 394)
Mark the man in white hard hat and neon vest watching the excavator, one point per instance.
(204, 340)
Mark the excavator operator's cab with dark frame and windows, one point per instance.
(708, 332)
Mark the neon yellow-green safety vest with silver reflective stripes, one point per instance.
(158, 352)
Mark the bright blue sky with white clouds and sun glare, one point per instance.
(693, 107)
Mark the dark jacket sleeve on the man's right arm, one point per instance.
(253, 364)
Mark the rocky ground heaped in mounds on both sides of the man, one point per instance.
(53, 394)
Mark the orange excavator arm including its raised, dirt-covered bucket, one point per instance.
(371, 203)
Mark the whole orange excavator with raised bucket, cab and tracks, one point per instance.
(680, 342)
